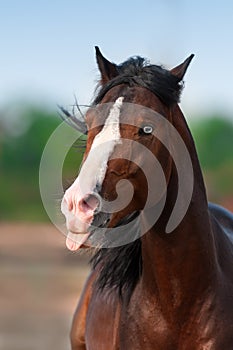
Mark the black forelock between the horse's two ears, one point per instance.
(136, 71)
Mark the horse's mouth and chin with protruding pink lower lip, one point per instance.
(100, 234)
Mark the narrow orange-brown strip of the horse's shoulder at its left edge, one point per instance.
(77, 334)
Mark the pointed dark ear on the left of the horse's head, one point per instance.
(107, 69)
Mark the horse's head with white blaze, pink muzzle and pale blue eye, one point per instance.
(126, 126)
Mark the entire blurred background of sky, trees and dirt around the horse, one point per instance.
(47, 56)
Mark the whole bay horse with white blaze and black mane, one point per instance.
(158, 290)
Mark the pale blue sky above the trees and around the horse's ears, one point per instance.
(47, 47)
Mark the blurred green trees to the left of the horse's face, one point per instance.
(19, 164)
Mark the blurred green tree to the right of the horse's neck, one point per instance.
(214, 141)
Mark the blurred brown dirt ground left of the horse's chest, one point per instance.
(41, 282)
